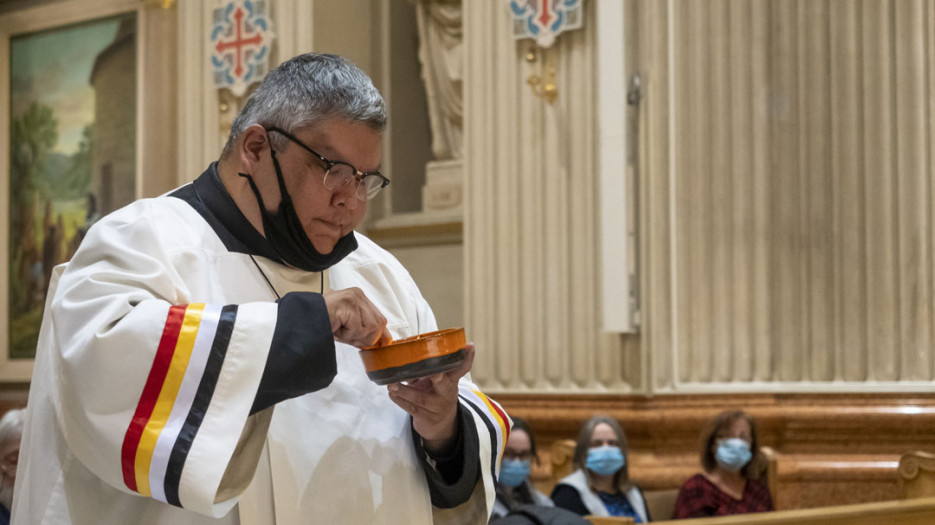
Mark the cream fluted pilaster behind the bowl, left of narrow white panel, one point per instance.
(531, 229)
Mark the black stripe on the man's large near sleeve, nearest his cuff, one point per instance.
(200, 404)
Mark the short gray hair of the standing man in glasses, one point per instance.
(306, 89)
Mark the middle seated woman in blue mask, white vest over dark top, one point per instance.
(600, 485)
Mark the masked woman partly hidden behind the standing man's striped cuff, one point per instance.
(513, 485)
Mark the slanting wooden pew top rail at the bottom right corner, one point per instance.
(901, 512)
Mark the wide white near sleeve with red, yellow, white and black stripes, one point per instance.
(156, 390)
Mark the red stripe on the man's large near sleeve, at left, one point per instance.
(144, 409)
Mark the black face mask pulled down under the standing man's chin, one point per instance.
(285, 233)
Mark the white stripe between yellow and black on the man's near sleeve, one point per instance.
(183, 402)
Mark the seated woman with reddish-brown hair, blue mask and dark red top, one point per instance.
(731, 460)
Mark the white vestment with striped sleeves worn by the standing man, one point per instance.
(148, 364)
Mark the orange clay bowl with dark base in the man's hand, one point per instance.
(414, 357)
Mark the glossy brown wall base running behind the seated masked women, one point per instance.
(834, 449)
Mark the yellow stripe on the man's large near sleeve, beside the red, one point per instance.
(167, 395)
